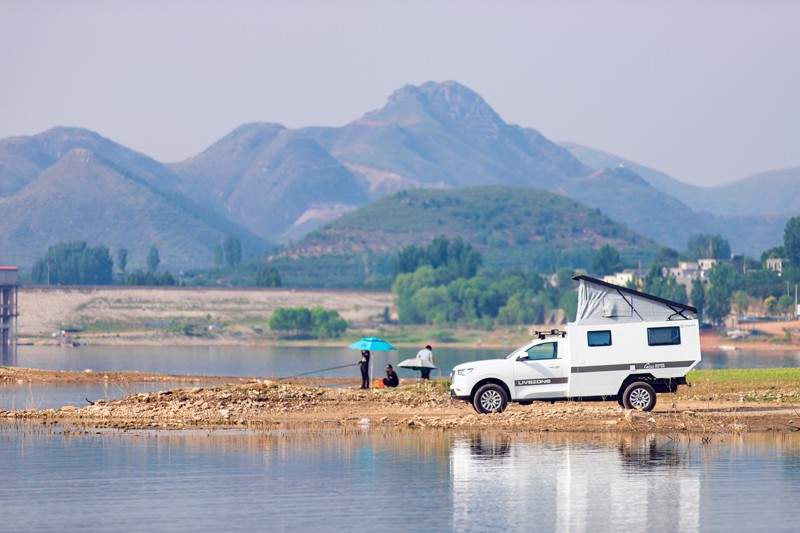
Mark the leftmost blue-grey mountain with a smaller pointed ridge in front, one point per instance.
(80, 186)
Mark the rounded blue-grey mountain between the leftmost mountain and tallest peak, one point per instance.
(277, 182)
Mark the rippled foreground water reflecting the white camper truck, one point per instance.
(301, 480)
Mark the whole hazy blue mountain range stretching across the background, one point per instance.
(265, 183)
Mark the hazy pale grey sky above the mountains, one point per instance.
(707, 91)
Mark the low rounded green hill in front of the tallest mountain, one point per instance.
(513, 227)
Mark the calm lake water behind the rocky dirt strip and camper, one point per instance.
(250, 361)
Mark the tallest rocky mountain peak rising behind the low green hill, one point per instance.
(445, 135)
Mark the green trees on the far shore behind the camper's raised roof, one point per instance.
(443, 283)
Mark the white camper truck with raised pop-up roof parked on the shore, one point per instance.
(624, 345)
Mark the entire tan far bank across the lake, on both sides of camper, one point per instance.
(150, 316)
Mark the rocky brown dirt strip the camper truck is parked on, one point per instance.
(320, 403)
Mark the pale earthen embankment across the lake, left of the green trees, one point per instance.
(125, 315)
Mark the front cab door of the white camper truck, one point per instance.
(541, 372)
